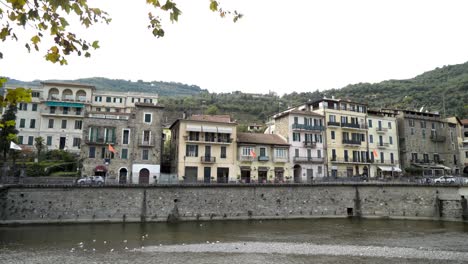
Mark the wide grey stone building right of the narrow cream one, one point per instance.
(427, 142)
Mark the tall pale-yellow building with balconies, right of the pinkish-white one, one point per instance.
(346, 134)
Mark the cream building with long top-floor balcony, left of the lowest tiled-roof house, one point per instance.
(203, 149)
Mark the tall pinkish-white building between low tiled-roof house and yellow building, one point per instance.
(303, 130)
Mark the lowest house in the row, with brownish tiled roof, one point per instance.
(262, 158)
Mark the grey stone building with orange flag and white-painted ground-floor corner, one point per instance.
(124, 146)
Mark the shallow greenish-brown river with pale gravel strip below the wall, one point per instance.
(272, 241)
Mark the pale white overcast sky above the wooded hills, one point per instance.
(280, 46)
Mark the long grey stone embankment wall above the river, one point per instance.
(162, 203)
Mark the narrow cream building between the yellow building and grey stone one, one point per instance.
(383, 144)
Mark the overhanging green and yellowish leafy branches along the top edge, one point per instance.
(52, 16)
